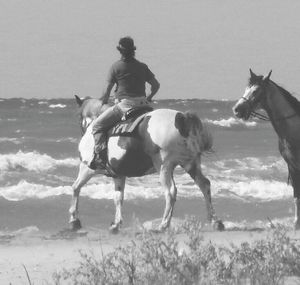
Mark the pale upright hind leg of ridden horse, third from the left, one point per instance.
(167, 182)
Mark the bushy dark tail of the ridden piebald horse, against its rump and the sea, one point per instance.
(199, 138)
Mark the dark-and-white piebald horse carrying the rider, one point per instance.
(164, 139)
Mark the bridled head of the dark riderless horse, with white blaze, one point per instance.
(253, 96)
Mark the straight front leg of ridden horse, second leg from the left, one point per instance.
(118, 200)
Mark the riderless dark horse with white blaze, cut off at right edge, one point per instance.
(284, 113)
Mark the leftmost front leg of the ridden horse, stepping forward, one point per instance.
(84, 175)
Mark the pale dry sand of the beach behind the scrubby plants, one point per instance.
(43, 255)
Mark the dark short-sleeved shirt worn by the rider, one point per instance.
(130, 77)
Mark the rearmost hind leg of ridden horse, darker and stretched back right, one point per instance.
(204, 184)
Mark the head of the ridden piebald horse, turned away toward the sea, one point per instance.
(88, 110)
